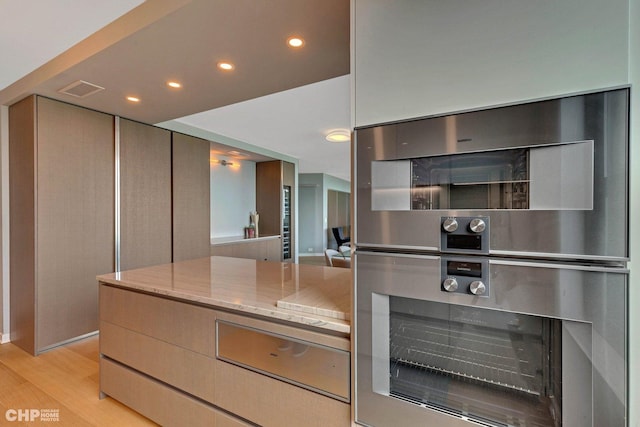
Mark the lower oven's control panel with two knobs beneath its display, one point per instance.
(465, 276)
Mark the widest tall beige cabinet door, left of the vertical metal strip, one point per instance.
(75, 217)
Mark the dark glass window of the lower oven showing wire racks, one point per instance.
(497, 368)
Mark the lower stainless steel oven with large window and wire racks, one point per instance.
(541, 344)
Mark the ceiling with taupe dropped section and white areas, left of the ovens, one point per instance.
(278, 99)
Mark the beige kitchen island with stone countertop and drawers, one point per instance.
(228, 342)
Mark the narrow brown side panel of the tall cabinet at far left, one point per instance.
(22, 225)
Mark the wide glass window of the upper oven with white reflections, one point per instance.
(555, 177)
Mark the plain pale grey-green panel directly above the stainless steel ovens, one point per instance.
(419, 58)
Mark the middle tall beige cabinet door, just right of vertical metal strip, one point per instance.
(145, 195)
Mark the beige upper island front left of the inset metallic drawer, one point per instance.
(188, 326)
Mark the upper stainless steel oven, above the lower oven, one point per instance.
(551, 175)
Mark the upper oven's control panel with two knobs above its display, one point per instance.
(464, 234)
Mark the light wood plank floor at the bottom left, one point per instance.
(66, 379)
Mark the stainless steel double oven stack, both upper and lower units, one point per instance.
(490, 266)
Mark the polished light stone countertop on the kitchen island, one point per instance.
(310, 295)
